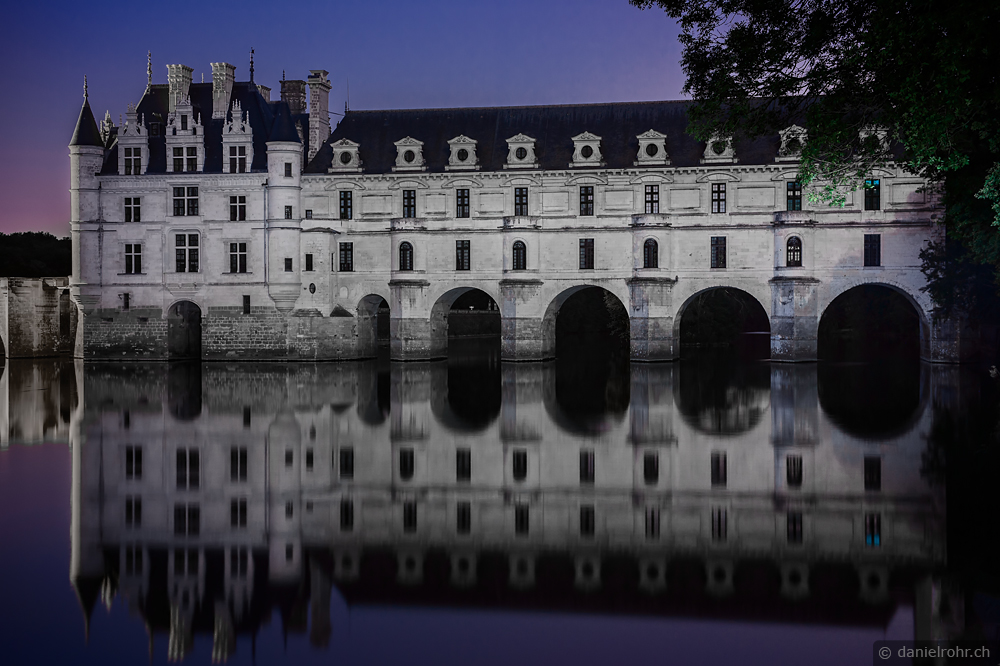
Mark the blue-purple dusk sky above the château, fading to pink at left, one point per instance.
(397, 54)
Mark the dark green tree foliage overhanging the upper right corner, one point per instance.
(913, 82)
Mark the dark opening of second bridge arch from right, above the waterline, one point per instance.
(724, 318)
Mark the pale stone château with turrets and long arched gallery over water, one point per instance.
(218, 224)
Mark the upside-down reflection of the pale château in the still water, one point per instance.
(208, 496)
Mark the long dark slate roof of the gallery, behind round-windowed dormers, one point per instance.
(552, 127)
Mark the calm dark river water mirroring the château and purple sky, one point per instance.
(710, 511)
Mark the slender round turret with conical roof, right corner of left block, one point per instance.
(284, 210)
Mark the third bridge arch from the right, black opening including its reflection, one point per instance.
(590, 330)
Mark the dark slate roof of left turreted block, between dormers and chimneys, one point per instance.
(261, 114)
